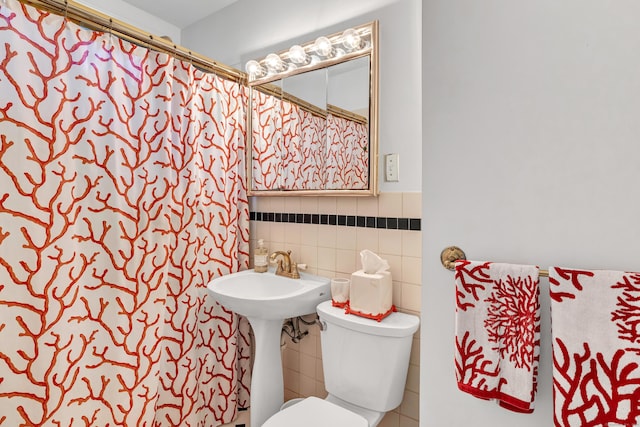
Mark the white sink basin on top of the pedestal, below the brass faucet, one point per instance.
(268, 296)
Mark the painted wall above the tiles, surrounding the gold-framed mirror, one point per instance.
(250, 29)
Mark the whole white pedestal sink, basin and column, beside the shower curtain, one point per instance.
(267, 300)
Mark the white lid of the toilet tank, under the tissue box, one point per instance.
(394, 325)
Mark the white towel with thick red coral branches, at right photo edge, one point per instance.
(595, 322)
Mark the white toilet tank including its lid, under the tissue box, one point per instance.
(365, 362)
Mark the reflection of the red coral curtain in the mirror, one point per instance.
(294, 149)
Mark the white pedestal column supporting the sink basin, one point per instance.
(267, 385)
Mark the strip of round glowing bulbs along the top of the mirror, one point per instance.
(322, 52)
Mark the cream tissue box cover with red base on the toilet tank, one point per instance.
(371, 295)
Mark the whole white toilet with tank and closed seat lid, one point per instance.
(365, 370)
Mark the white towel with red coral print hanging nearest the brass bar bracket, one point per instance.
(498, 332)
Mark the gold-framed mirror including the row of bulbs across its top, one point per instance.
(313, 118)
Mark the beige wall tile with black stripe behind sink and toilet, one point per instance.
(327, 234)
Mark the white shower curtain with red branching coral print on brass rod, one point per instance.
(121, 197)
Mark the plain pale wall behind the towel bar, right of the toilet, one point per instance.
(530, 155)
